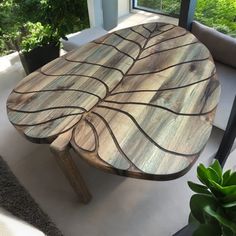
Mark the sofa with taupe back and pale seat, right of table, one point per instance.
(223, 50)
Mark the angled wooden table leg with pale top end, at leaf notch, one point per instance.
(60, 149)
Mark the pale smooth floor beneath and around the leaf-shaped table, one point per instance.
(120, 206)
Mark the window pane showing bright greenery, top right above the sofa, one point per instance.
(219, 14)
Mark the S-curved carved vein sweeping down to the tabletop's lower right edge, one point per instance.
(145, 134)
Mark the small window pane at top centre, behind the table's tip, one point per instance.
(169, 7)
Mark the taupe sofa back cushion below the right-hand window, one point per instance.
(221, 46)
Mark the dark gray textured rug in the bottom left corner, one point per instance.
(15, 199)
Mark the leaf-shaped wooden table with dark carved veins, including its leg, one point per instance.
(138, 102)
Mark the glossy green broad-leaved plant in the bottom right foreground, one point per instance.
(213, 207)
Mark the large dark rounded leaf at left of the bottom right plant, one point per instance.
(198, 202)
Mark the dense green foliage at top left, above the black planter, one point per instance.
(26, 24)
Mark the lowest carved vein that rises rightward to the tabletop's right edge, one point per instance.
(172, 88)
